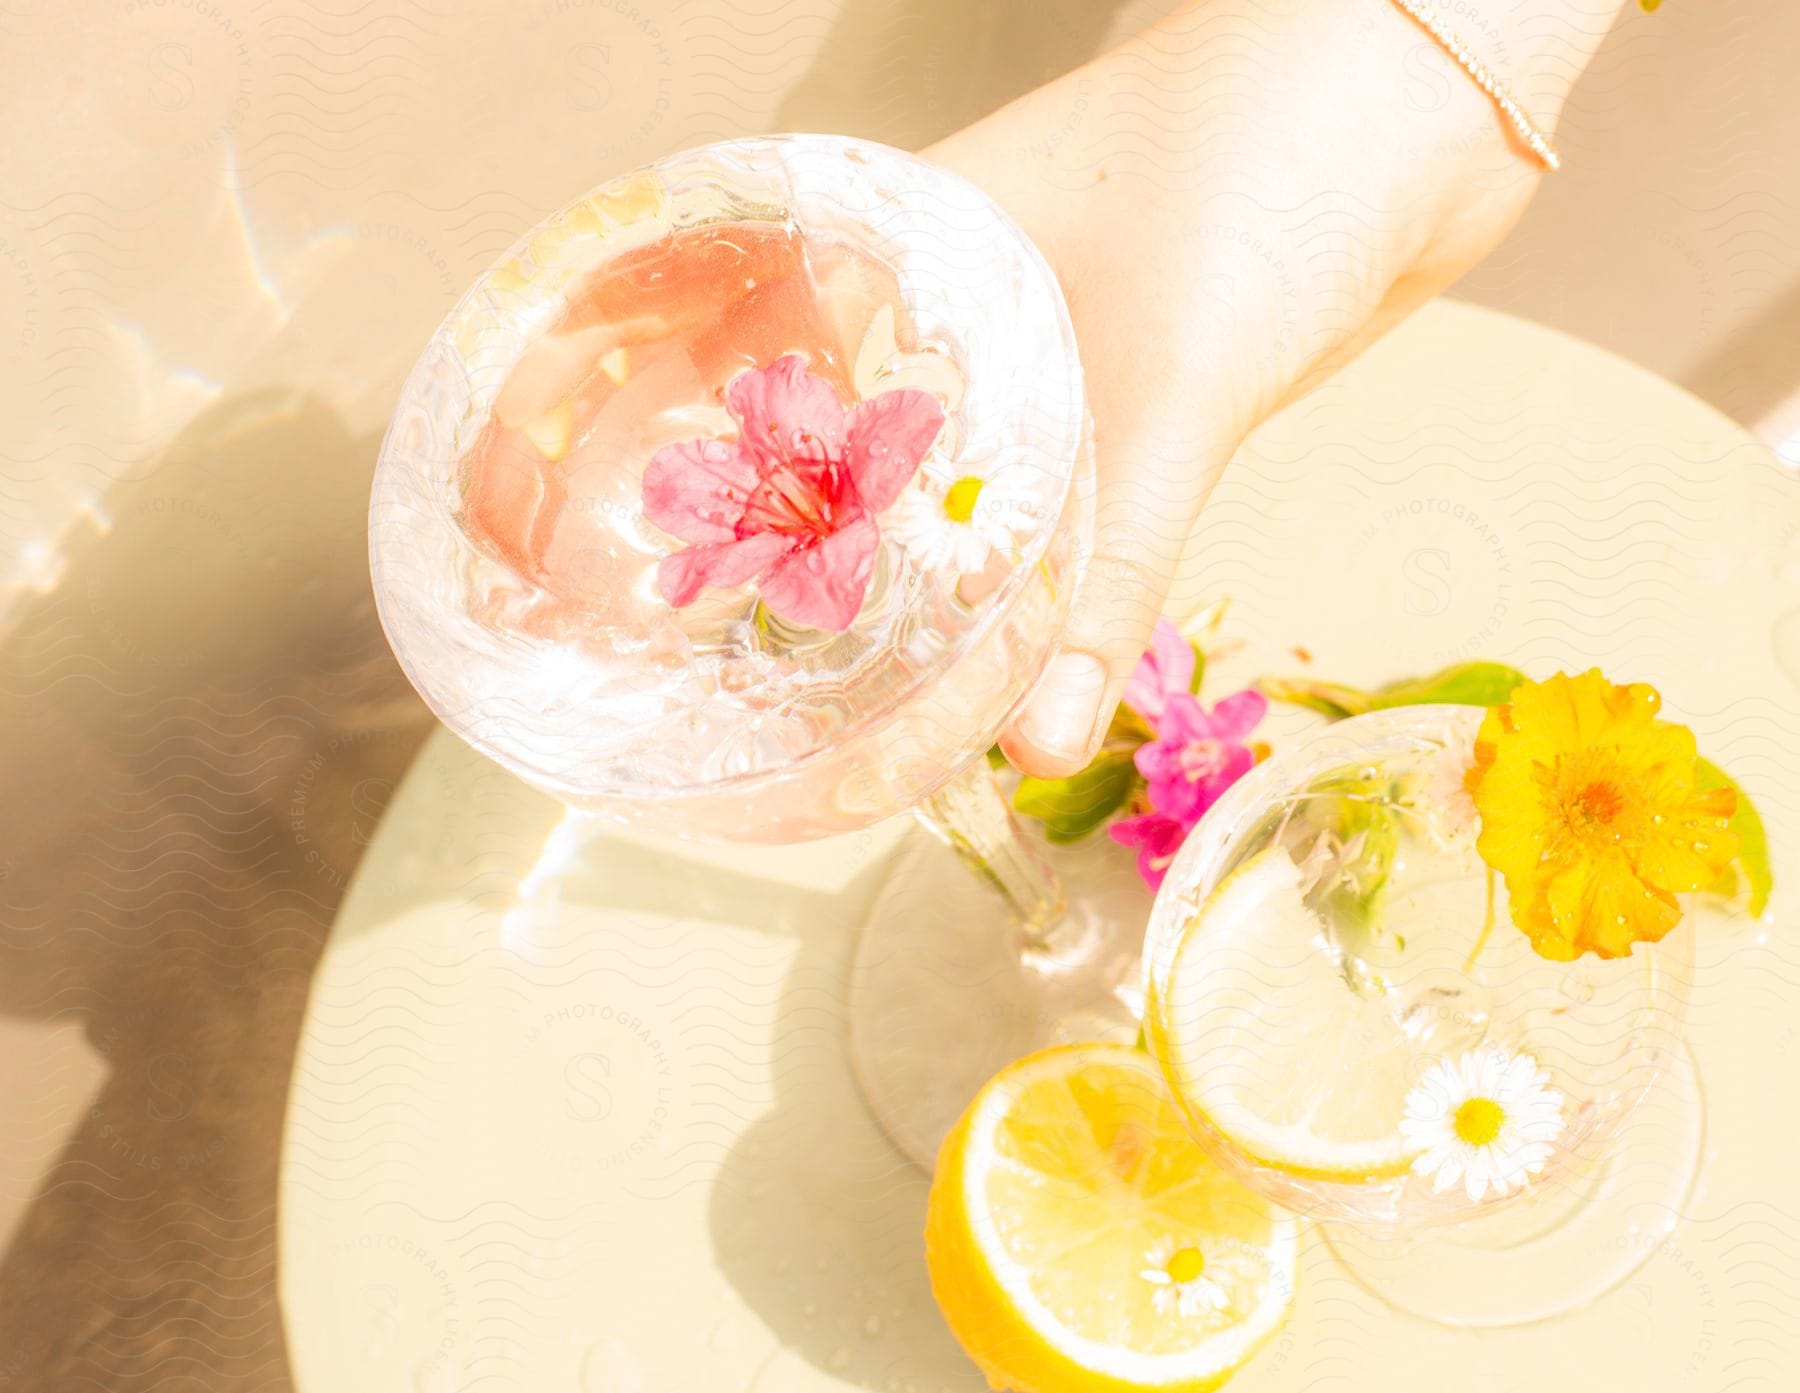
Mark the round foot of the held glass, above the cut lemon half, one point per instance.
(946, 991)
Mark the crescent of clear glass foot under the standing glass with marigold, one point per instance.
(1561, 1248)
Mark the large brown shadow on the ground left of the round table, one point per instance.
(199, 726)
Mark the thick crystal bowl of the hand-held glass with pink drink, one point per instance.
(526, 586)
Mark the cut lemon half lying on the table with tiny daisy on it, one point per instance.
(1079, 1239)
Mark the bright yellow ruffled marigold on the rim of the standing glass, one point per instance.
(1590, 813)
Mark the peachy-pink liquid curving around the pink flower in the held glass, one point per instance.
(642, 359)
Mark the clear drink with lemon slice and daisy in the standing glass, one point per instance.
(1336, 991)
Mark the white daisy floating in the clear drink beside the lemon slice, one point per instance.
(1486, 1120)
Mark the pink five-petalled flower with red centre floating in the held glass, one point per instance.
(793, 501)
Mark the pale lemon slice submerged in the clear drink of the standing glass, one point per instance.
(1270, 1047)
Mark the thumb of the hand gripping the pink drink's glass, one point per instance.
(1146, 505)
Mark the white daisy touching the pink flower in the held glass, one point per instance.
(958, 516)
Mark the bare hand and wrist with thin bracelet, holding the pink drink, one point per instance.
(1236, 202)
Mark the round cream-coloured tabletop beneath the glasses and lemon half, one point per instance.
(575, 1113)
